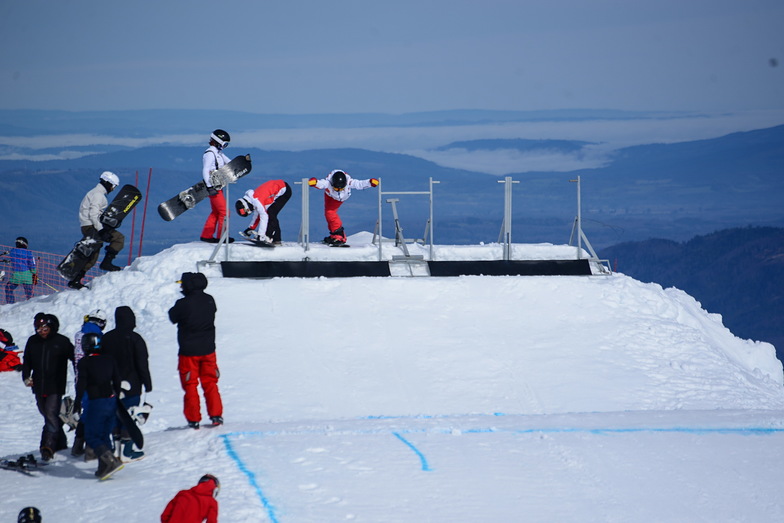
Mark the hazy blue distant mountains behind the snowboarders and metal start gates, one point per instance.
(673, 191)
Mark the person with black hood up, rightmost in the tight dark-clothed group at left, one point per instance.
(130, 352)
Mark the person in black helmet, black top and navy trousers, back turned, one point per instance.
(100, 379)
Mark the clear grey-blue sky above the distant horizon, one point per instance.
(341, 56)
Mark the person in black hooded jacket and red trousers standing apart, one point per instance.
(194, 315)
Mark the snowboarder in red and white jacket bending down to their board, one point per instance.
(263, 206)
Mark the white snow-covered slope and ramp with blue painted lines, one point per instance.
(594, 398)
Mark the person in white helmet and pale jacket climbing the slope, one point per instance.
(93, 204)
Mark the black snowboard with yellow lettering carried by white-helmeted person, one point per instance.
(112, 217)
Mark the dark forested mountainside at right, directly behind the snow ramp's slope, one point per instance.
(737, 273)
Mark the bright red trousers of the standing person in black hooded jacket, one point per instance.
(204, 369)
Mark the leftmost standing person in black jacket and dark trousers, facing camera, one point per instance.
(45, 369)
